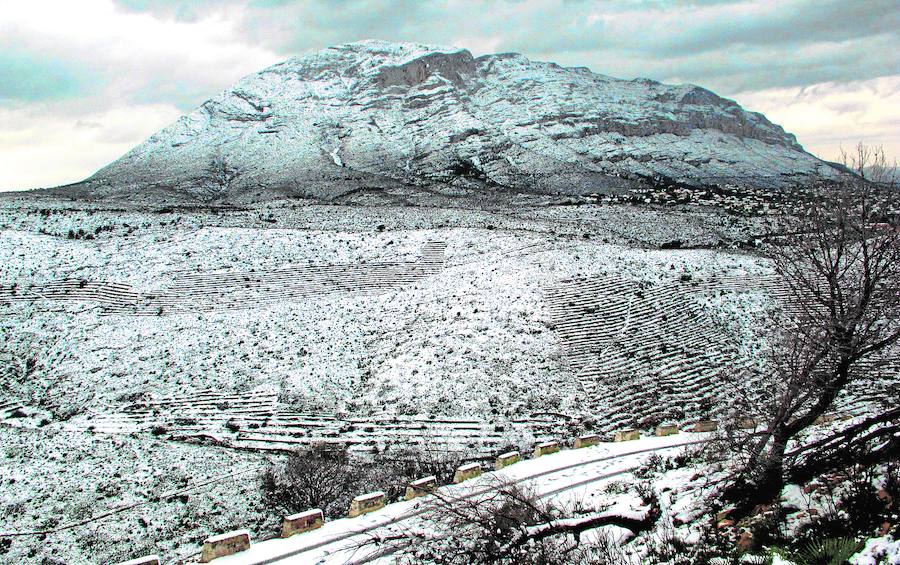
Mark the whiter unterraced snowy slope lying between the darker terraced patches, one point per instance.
(478, 322)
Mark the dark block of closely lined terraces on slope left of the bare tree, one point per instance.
(641, 353)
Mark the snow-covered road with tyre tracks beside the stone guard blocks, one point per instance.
(565, 474)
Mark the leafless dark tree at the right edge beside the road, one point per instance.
(841, 266)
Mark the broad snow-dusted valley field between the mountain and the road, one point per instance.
(252, 331)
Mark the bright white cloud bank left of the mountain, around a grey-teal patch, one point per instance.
(145, 67)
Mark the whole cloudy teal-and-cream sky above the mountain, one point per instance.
(81, 82)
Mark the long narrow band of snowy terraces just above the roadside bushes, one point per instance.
(256, 420)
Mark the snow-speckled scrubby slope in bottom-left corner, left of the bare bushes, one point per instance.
(164, 496)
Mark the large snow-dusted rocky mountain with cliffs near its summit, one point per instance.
(377, 115)
